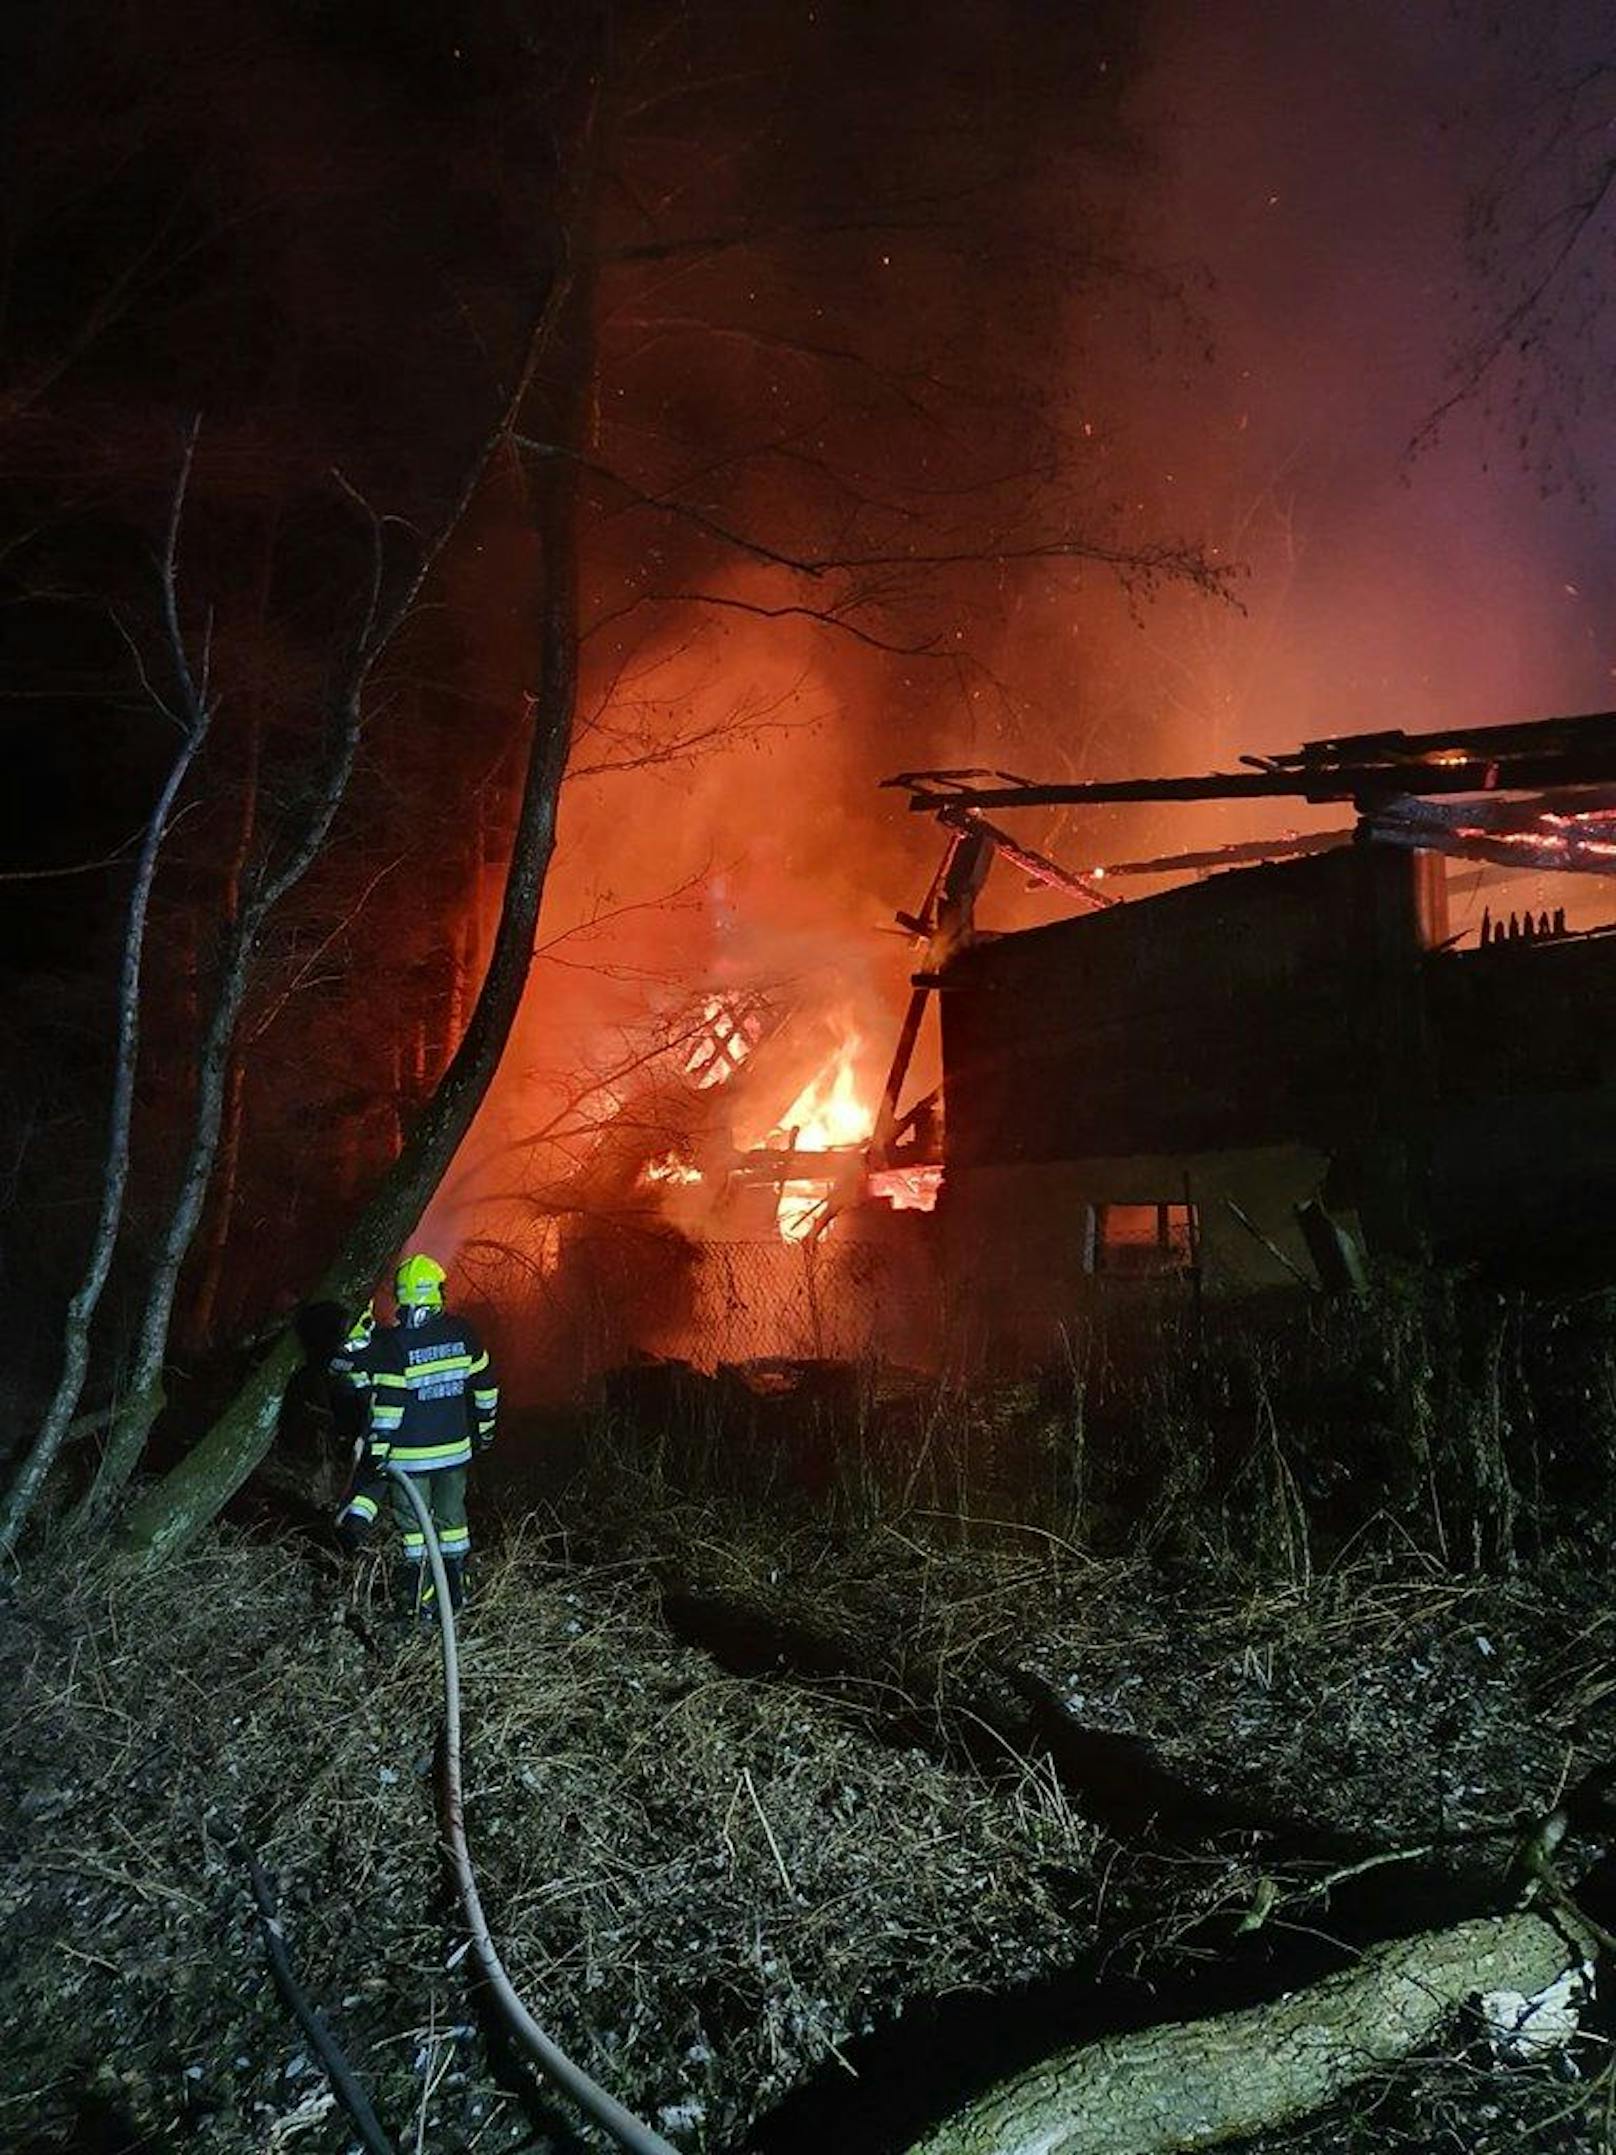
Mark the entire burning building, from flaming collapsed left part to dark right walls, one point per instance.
(1270, 1074)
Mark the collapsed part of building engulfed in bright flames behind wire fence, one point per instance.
(719, 1201)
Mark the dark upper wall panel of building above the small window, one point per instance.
(1266, 1005)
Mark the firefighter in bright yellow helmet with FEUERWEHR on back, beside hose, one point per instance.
(432, 1402)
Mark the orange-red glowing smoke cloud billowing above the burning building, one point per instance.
(1199, 290)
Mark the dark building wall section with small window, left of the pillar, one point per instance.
(1221, 1085)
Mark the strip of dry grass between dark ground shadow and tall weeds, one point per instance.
(1380, 1695)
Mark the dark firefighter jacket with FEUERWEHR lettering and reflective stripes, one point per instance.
(432, 1393)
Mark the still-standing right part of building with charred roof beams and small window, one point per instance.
(1285, 1070)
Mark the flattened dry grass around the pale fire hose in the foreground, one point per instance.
(701, 1885)
